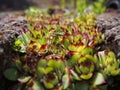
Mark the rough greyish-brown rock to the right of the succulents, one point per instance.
(109, 24)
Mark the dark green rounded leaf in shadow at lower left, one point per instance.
(11, 74)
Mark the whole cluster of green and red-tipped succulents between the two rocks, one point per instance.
(59, 54)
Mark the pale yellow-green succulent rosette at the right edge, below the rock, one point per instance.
(108, 63)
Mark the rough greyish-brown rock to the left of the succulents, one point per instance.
(10, 26)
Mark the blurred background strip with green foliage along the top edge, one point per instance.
(80, 5)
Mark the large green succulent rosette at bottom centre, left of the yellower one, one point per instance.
(53, 73)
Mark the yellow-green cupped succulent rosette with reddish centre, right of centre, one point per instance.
(83, 62)
